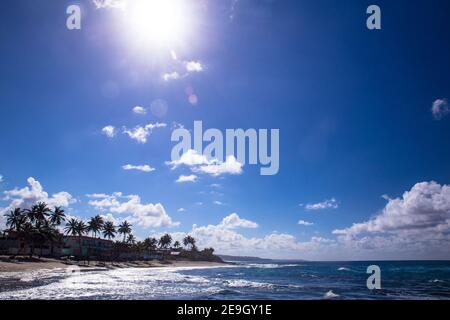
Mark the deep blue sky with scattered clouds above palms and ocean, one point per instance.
(354, 109)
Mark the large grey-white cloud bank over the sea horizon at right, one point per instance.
(414, 226)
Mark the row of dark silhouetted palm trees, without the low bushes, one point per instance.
(40, 225)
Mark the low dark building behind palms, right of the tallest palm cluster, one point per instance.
(87, 247)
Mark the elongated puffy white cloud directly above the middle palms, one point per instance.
(142, 214)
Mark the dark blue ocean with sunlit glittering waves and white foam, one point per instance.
(247, 281)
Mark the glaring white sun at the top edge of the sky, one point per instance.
(158, 22)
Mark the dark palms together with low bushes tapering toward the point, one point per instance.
(42, 226)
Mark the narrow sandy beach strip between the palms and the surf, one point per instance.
(24, 265)
